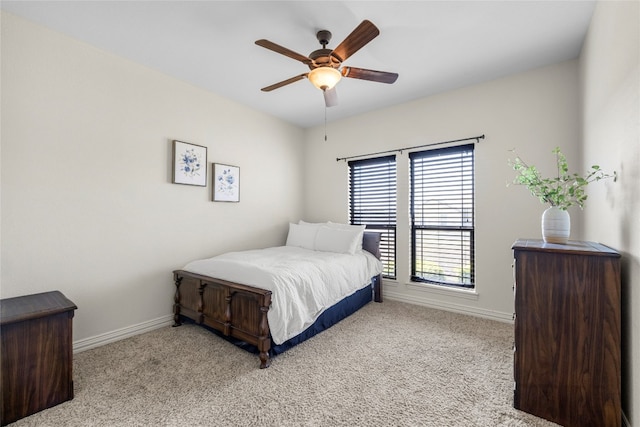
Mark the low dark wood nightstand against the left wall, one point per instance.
(37, 353)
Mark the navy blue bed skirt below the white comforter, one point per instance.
(328, 318)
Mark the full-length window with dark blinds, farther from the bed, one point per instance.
(442, 216)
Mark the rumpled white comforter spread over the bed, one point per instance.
(303, 282)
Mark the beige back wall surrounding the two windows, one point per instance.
(532, 112)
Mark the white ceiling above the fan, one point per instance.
(433, 45)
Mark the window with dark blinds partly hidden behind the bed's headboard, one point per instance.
(372, 202)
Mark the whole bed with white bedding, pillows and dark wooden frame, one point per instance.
(268, 300)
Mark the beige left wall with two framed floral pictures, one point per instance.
(88, 207)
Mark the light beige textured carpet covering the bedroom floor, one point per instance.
(390, 364)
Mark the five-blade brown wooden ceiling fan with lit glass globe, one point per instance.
(325, 65)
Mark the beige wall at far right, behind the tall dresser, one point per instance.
(610, 80)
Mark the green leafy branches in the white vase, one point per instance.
(565, 189)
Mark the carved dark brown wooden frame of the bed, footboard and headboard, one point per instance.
(236, 310)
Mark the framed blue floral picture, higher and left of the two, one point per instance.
(189, 164)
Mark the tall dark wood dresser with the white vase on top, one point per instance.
(567, 332)
